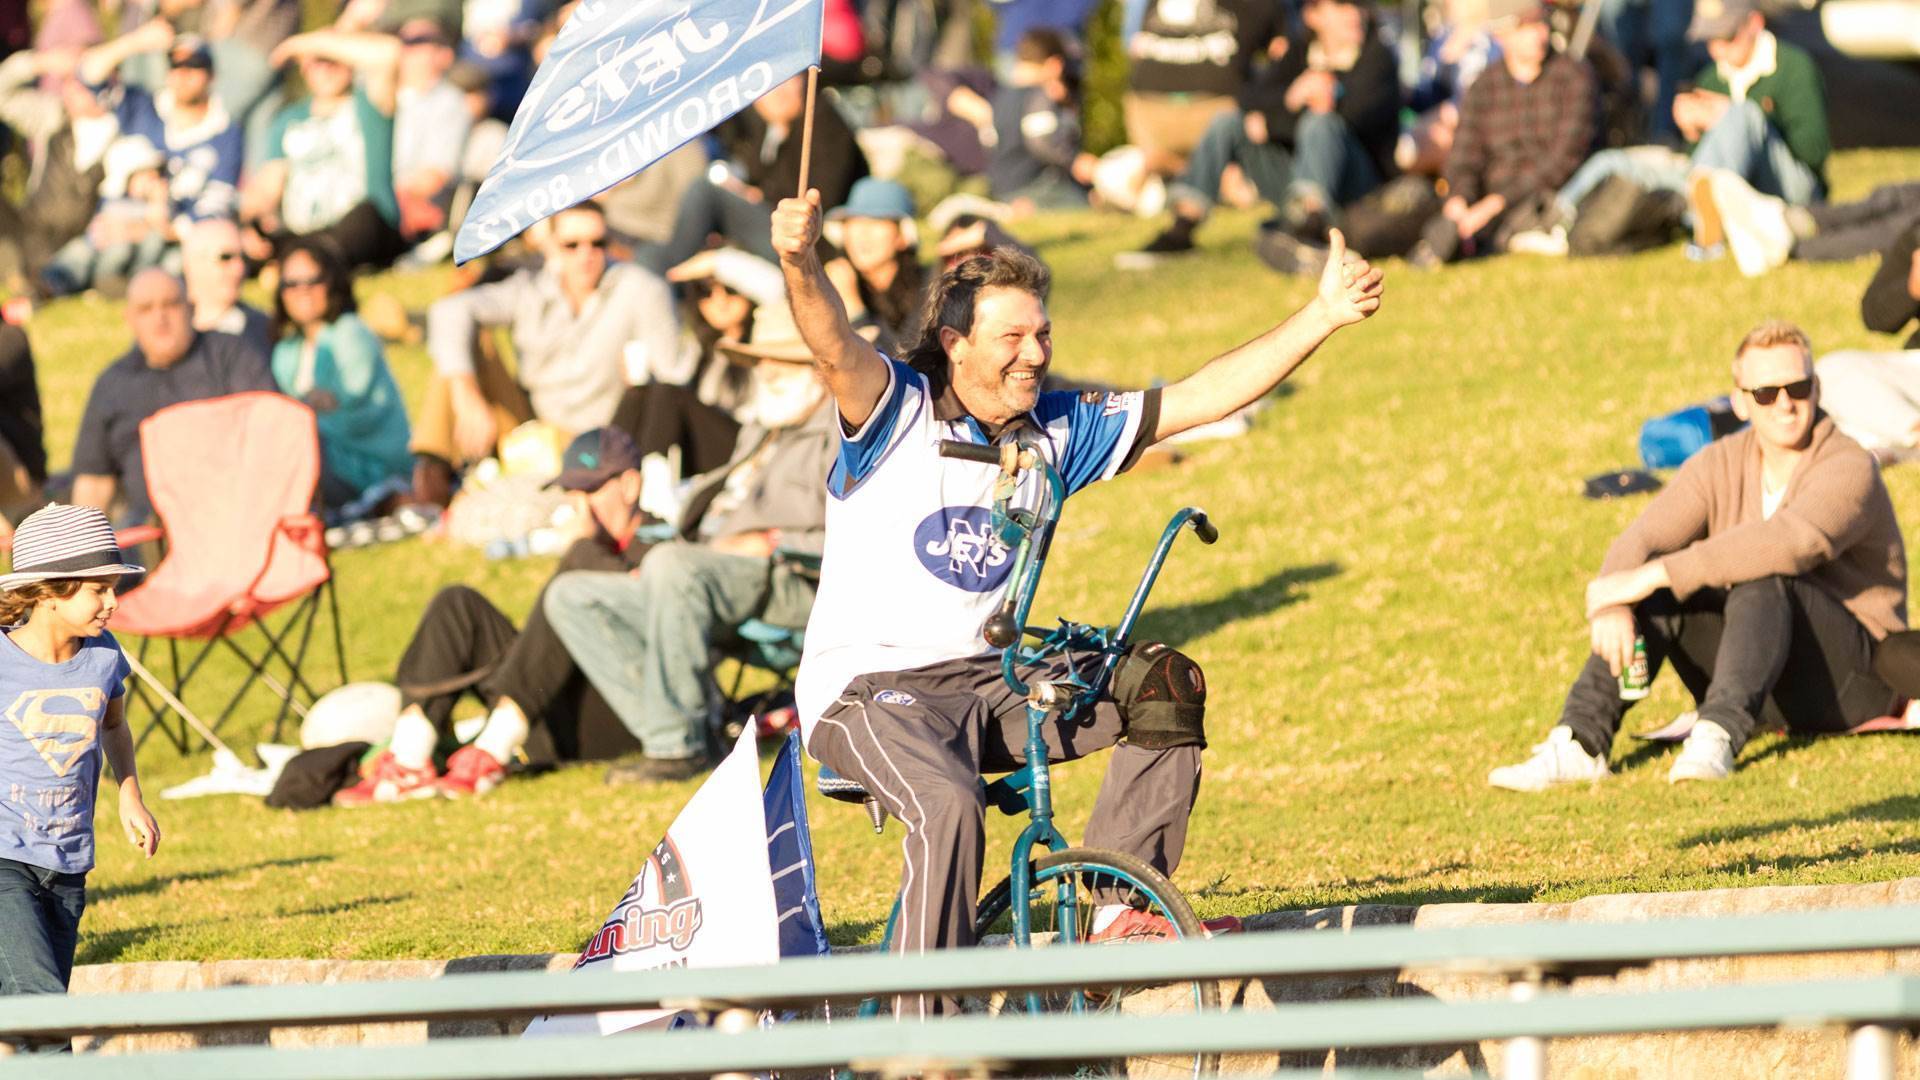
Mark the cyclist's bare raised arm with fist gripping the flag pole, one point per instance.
(852, 368)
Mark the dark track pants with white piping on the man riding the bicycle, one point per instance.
(923, 739)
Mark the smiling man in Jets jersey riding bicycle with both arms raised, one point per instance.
(898, 687)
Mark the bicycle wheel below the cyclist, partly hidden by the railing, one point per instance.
(1113, 877)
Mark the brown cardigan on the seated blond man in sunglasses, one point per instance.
(1835, 528)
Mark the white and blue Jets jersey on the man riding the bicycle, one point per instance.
(911, 566)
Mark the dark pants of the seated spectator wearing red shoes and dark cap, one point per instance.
(462, 633)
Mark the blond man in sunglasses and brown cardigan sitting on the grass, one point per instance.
(1767, 574)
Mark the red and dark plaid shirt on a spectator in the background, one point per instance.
(1524, 139)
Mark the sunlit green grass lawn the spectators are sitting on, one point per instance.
(1395, 608)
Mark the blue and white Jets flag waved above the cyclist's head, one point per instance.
(627, 84)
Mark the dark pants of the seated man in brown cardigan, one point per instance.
(1775, 650)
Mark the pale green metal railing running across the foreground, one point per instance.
(1533, 958)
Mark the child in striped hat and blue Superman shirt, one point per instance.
(62, 710)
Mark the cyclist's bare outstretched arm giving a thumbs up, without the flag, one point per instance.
(1349, 293)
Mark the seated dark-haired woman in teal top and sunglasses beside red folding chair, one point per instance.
(331, 360)
